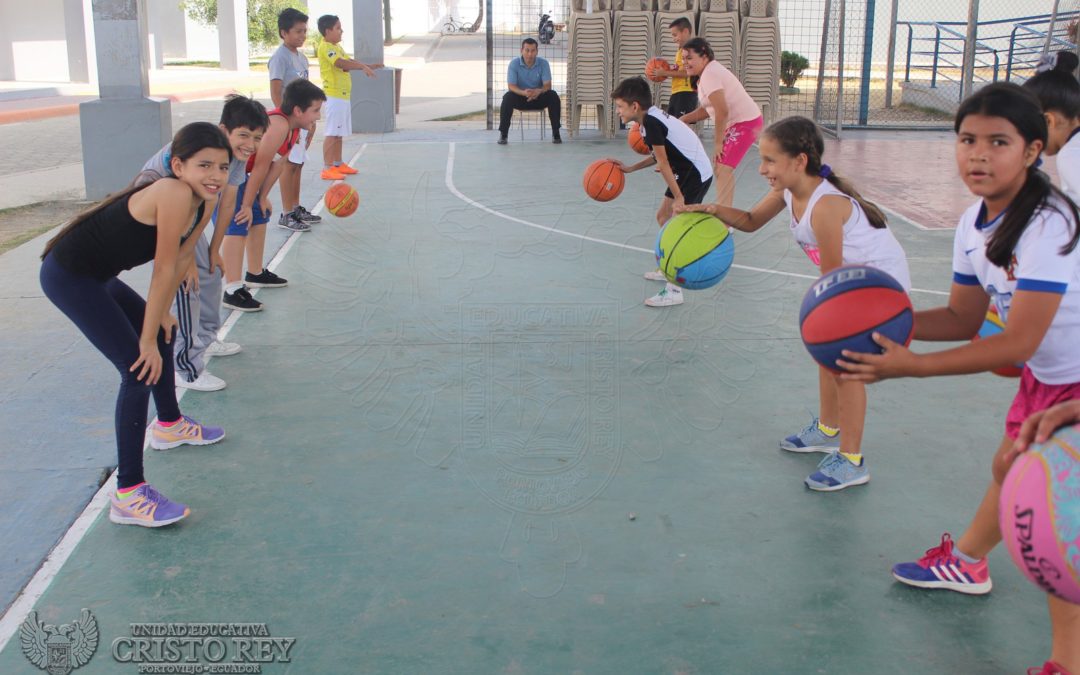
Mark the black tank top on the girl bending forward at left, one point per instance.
(111, 242)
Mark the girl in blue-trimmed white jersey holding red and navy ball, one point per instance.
(1016, 248)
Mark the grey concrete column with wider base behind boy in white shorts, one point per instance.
(373, 101)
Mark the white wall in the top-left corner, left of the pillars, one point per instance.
(33, 42)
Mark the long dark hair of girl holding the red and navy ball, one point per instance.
(1022, 110)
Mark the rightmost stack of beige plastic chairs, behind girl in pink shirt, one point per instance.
(760, 52)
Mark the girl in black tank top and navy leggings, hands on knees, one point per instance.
(160, 222)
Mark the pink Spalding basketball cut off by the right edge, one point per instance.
(1039, 515)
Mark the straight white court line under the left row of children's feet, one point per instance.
(55, 562)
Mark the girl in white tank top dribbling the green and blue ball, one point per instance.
(835, 226)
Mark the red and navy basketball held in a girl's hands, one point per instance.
(845, 307)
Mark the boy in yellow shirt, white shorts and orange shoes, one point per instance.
(334, 64)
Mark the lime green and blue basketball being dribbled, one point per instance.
(695, 251)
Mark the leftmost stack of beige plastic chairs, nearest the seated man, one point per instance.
(589, 67)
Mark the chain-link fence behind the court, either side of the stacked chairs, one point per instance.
(887, 64)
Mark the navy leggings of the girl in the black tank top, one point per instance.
(111, 315)
